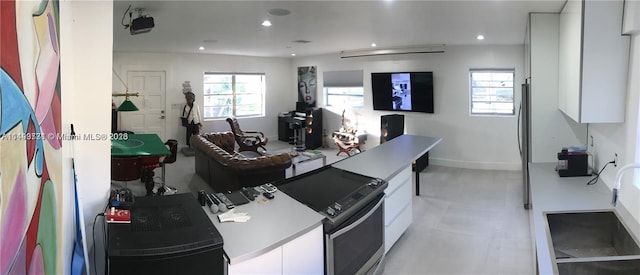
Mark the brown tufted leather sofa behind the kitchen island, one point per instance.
(224, 169)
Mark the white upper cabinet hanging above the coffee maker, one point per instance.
(593, 61)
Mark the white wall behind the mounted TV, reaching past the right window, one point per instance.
(468, 141)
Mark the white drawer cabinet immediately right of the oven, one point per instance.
(397, 207)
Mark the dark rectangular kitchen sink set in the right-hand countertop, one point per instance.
(592, 242)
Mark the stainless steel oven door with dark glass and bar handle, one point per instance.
(358, 245)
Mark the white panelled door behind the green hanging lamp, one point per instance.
(150, 118)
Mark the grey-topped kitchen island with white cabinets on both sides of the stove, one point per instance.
(285, 236)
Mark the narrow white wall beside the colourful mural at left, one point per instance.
(86, 44)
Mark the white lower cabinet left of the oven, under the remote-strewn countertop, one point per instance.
(303, 255)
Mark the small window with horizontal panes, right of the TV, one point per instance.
(491, 92)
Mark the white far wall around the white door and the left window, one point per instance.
(191, 67)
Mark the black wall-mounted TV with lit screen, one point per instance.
(403, 91)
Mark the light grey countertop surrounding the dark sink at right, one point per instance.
(551, 193)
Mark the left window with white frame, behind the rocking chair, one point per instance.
(240, 95)
